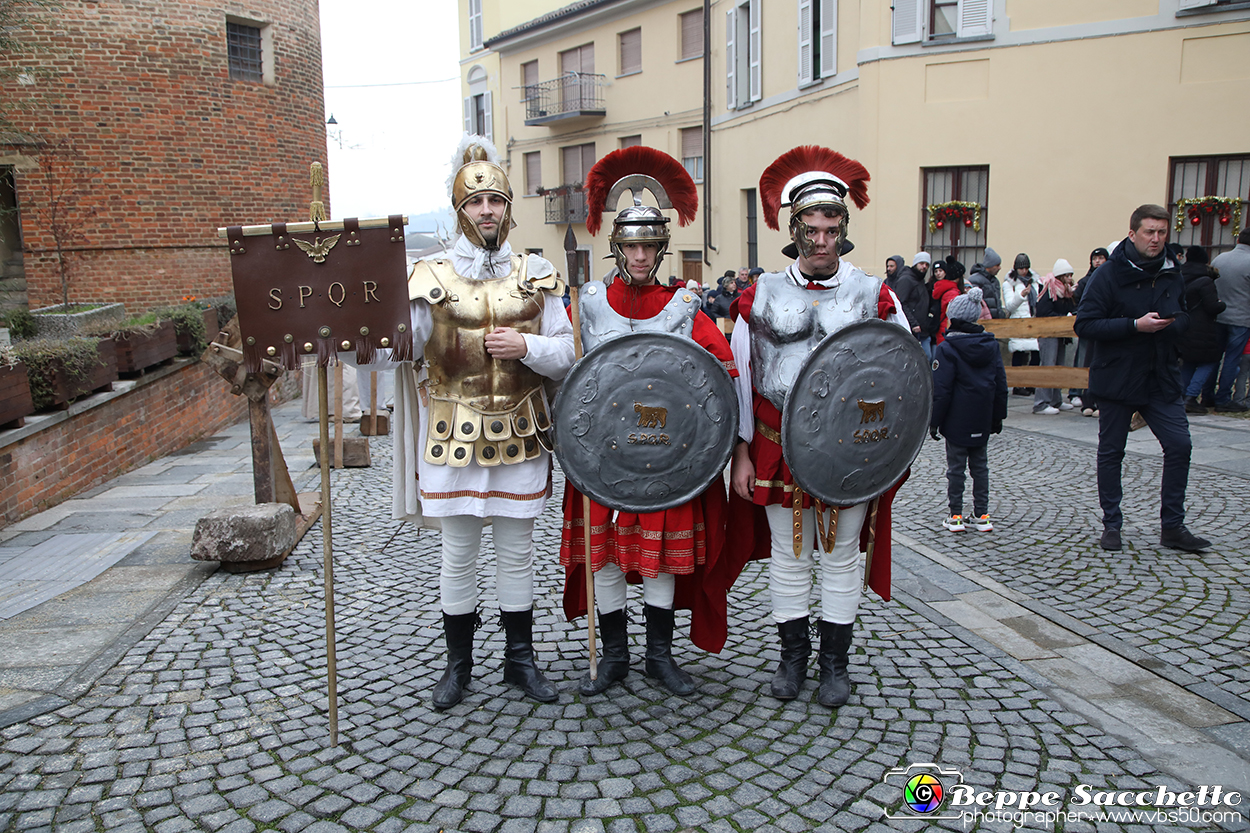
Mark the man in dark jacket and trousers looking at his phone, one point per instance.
(1133, 310)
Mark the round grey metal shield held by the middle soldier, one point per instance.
(646, 422)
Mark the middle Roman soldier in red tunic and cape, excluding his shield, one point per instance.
(672, 551)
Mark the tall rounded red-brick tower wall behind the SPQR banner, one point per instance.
(167, 148)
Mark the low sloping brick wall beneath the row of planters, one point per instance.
(101, 443)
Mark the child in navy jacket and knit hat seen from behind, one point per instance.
(971, 403)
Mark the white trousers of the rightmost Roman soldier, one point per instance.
(791, 578)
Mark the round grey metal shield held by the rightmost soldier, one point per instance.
(858, 413)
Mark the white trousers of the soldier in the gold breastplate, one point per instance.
(514, 563)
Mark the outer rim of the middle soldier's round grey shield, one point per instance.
(571, 383)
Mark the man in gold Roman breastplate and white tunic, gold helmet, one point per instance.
(491, 332)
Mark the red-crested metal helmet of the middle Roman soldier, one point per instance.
(639, 169)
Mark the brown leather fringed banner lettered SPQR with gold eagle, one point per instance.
(323, 292)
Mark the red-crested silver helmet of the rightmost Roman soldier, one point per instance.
(808, 178)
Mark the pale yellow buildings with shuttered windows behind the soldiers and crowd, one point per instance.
(1027, 126)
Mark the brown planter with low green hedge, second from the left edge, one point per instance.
(68, 370)
